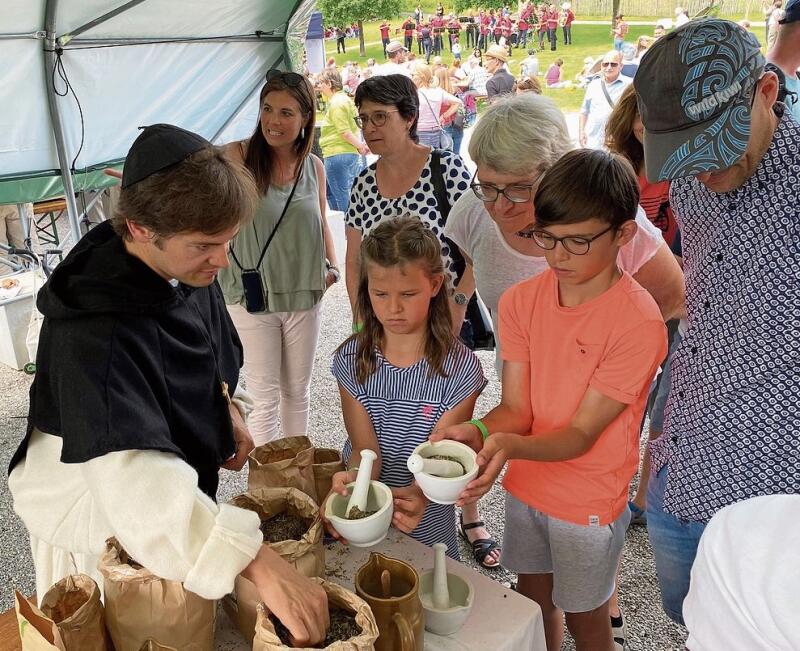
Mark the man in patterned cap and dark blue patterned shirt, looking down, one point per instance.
(713, 127)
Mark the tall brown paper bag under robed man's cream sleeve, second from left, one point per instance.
(142, 606)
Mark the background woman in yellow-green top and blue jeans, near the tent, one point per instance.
(340, 145)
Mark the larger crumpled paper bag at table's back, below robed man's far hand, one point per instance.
(283, 463)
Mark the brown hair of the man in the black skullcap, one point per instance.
(206, 193)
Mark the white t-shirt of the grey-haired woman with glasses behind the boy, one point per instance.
(497, 266)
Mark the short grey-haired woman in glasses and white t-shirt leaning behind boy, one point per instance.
(516, 140)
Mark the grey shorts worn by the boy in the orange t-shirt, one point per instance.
(582, 559)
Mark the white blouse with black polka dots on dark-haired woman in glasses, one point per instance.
(368, 208)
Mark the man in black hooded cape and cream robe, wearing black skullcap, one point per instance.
(136, 402)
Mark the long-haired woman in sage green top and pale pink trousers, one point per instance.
(278, 320)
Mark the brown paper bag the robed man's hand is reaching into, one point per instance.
(338, 597)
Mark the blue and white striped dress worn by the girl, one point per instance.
(404, 405)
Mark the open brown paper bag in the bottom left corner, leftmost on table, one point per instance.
(70, 618)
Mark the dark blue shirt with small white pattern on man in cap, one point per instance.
(732, 421)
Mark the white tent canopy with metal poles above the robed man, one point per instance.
(78, 78)
